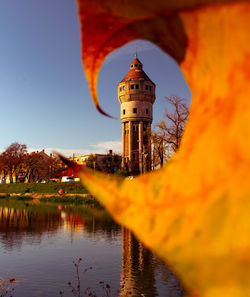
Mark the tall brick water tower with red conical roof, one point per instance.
(136, 94)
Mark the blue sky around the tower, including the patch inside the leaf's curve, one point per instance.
(44, 97)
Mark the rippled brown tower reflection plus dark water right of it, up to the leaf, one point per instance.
(139, 269)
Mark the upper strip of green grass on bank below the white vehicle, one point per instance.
(71, 188)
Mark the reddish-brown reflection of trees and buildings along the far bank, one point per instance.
(31, 222)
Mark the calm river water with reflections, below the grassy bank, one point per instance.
(39, 242)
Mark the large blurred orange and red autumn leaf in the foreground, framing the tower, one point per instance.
(194, 213)
